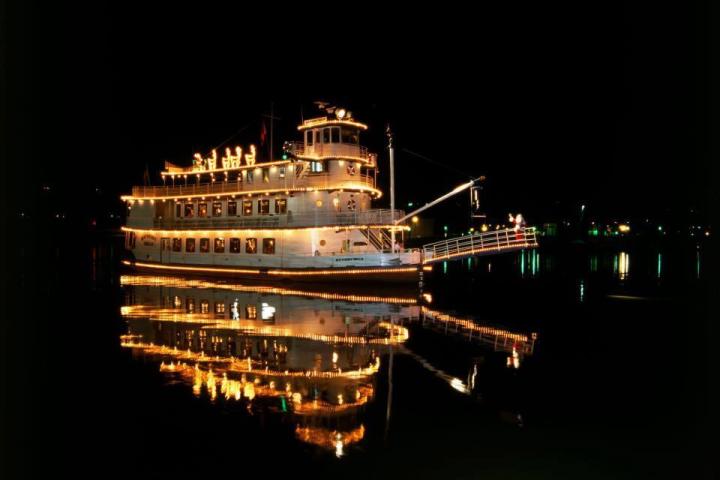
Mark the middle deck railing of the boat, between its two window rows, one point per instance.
(367, 218)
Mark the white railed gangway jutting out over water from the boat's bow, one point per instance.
(480, 244)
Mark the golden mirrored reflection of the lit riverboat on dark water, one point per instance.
(313, 355)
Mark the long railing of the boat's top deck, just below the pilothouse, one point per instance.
(315, 180)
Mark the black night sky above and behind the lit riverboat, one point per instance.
(570, 104)
